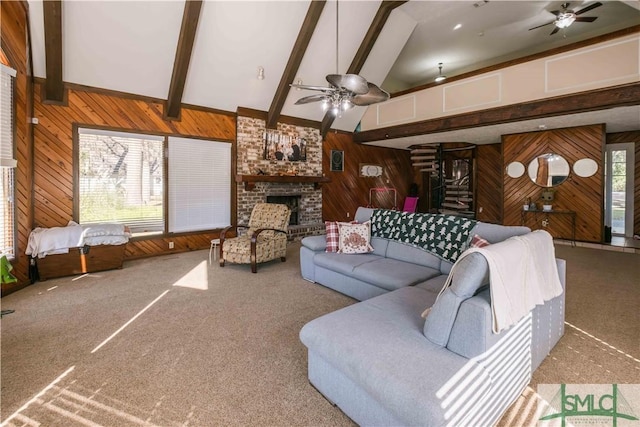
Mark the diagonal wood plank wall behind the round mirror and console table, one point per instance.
(583, 195)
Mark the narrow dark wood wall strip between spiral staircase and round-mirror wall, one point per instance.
(488, 174)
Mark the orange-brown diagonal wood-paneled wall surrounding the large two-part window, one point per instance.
(53, 153)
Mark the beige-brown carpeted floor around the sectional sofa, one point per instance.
(173, 341)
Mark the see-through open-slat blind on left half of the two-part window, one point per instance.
(121, 179)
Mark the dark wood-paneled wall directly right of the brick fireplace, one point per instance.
(347, 190)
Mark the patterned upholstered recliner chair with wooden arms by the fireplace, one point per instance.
(265, 239)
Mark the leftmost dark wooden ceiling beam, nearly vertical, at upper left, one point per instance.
(54, 86)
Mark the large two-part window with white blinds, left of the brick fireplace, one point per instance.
(122, 179)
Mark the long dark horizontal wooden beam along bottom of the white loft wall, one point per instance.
(599, 99)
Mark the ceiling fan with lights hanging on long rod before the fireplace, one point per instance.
(344, 90)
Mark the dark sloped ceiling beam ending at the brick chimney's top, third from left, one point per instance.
(297, 53)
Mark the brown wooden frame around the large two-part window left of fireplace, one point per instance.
(165, 176)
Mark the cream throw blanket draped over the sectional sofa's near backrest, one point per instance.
(523, 273)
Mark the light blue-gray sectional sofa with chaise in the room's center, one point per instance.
(381, 363)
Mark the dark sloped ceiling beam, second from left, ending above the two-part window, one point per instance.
(190, 18)
